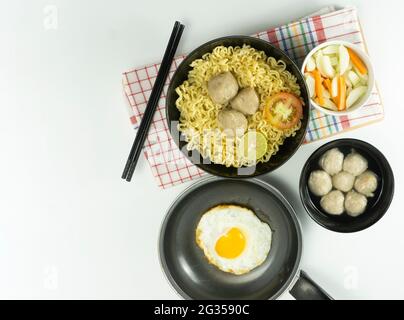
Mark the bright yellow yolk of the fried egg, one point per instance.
(231, 244)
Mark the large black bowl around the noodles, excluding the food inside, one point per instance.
(290, 145)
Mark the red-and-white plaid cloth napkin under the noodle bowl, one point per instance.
(168, 164)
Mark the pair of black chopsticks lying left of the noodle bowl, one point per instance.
(153, 100)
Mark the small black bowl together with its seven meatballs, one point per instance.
(346, 185)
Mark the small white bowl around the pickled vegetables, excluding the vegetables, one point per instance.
(371, 79)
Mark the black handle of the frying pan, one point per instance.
(306, 289)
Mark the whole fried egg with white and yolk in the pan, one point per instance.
(233, 238)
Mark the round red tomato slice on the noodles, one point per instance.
(283, 110)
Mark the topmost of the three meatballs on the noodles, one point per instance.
(222, 87)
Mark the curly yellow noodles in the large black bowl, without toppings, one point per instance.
(198, 113)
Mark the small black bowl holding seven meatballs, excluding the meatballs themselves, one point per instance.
(377, 205)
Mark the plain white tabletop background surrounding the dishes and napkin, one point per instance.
(71, 228)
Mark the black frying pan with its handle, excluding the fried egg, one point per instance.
(193, 277)
